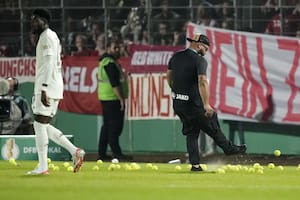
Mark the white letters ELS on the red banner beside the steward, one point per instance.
(75, 79)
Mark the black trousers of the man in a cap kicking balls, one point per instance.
(193, 120)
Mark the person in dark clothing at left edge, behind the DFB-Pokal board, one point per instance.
(16, 117)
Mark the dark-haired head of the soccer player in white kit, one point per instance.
(40, 20)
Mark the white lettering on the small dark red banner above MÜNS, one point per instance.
(151, 57)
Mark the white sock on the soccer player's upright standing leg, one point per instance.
(41, 141)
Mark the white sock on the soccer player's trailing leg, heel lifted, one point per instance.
(59, 138)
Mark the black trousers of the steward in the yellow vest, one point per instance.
(113, 121)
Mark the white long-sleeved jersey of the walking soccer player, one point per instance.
(48, 68)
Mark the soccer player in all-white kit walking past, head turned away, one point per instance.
(48, 90)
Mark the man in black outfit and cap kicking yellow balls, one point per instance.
(190, 92)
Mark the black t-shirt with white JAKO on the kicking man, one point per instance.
(186, 65)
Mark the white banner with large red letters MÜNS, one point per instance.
(150, 97)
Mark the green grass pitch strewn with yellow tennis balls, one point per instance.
(143, 181)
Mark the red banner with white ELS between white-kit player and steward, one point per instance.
(80, 85)
